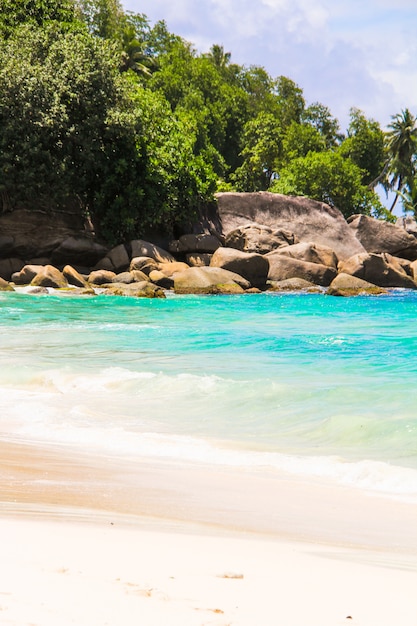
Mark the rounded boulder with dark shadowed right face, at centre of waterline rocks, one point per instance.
(253, 267)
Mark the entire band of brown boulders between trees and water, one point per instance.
(263, 241)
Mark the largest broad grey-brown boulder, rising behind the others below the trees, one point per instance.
(309, 220)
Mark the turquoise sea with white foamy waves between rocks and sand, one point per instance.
(305, 383)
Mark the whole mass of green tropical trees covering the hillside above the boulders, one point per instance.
(103, 113)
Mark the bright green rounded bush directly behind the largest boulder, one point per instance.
(330, 178)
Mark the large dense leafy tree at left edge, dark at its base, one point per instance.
(53, 137)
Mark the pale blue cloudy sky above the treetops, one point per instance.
(342, 53)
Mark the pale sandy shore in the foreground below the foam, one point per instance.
(92, 541)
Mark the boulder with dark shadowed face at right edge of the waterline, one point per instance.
(377, 269)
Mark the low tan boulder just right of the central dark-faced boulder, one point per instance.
(282, 267)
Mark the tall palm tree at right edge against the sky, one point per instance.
(402, 153)
